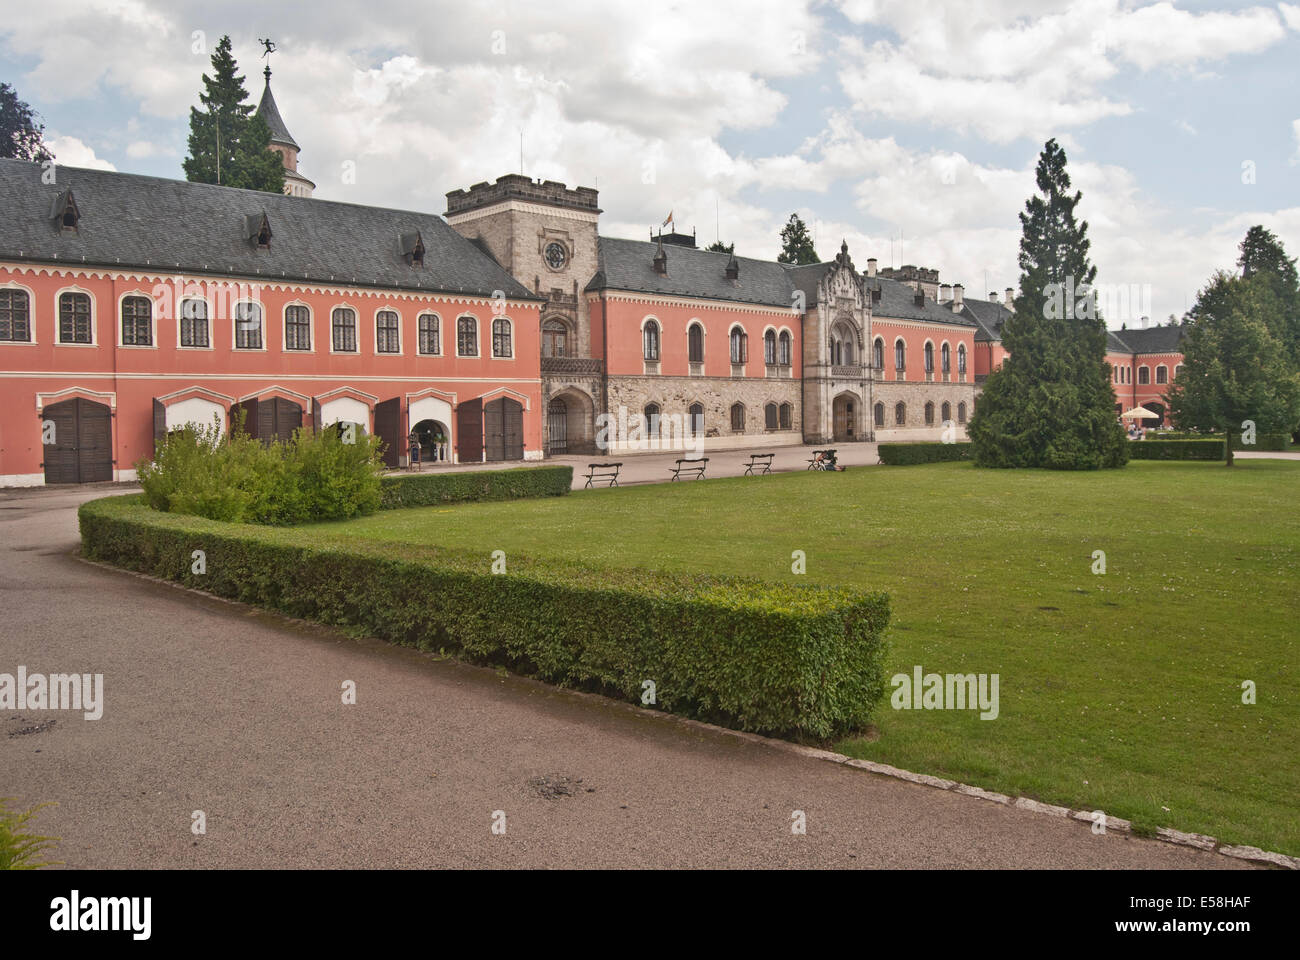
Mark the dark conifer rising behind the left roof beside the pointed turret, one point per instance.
(229, 144)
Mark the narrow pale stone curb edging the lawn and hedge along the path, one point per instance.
(1024, 803)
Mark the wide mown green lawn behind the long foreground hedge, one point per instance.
(1121, 691)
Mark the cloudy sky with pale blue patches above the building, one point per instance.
(909, 128)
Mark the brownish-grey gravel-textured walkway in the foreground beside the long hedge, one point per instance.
(226, 710)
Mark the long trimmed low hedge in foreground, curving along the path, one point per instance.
(768, 658)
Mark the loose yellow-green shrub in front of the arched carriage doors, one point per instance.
(314, 477)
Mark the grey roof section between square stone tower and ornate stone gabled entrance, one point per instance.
(630, 266)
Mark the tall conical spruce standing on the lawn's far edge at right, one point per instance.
(1051, 404)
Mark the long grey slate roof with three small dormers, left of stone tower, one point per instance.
(129, 220)
